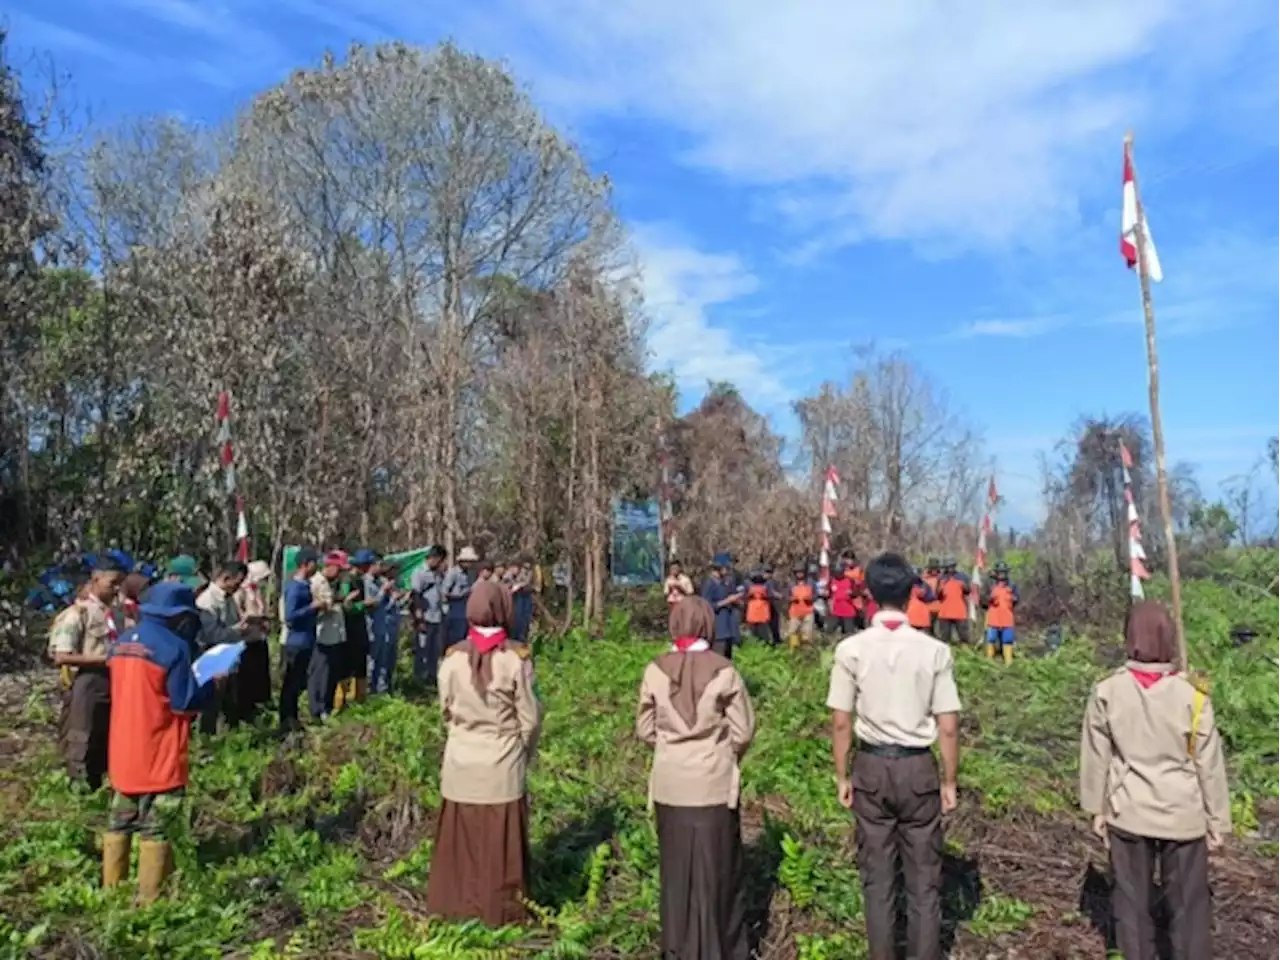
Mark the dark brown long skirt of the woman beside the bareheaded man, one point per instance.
(703, 904)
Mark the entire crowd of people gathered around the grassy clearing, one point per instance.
(1153, 770)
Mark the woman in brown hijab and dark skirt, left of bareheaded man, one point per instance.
(697, 716)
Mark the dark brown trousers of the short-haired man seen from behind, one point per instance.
(899, 815)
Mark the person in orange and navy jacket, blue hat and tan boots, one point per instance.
(154, 698)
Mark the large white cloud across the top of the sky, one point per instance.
(957, 126)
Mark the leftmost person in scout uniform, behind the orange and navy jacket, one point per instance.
(79, 643)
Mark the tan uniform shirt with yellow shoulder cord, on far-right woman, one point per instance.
(1137, 770)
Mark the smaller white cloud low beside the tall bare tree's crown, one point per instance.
(682, 286)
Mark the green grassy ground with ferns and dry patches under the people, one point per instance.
(322, 848)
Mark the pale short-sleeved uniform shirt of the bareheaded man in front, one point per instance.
(895, 683)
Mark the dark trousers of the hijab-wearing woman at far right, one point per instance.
(1185, 881)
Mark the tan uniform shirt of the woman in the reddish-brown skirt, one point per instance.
(492, 739)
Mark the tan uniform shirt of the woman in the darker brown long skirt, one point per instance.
(696, 766)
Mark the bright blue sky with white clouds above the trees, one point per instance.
(801, 179)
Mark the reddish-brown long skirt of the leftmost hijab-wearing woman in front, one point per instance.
(481, 863)
